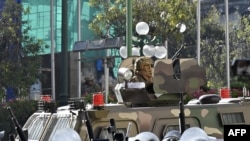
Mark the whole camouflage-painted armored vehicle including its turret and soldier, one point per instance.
(151, 105)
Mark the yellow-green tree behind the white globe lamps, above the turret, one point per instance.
(161, 15)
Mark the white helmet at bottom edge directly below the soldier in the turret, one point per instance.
(145, 136)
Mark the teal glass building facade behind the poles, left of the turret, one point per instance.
(45, 17)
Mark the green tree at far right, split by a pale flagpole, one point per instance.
(213, 45)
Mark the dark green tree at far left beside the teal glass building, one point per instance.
(19, 60)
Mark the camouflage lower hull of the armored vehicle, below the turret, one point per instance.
(211, 118)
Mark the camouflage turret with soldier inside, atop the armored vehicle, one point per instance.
(163, 83)
